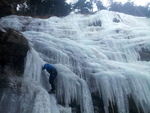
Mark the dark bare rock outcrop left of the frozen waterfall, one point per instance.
(13, 50)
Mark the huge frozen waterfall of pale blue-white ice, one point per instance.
(93, 53)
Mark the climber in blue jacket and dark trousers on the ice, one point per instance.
(53, 73)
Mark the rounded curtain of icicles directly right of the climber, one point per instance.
(71, 88)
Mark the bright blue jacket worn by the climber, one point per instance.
(50, 69)
